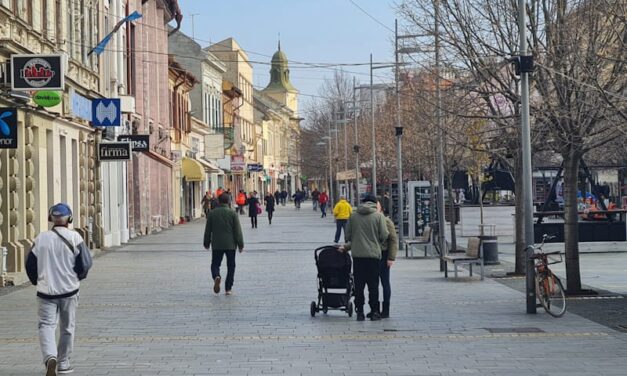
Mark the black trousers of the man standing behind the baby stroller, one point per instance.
(366, 272)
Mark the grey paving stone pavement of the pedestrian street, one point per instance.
(148, 309)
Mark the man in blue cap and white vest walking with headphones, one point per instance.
(56, 264)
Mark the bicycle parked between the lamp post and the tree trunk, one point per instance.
(549, 288)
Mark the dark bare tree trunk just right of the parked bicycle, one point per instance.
(571, 228)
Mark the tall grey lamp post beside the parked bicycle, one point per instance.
(526, 156)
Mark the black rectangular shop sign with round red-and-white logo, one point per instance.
(37, 72)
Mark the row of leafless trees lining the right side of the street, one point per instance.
(578, 94)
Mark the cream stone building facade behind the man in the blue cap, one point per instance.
(55, 156)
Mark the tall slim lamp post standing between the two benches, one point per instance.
(438, 94)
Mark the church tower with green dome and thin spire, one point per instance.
(280, 88)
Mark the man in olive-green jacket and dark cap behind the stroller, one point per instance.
(365, 232)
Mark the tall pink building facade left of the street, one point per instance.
(150, 173)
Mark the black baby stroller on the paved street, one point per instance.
(334, 272)
